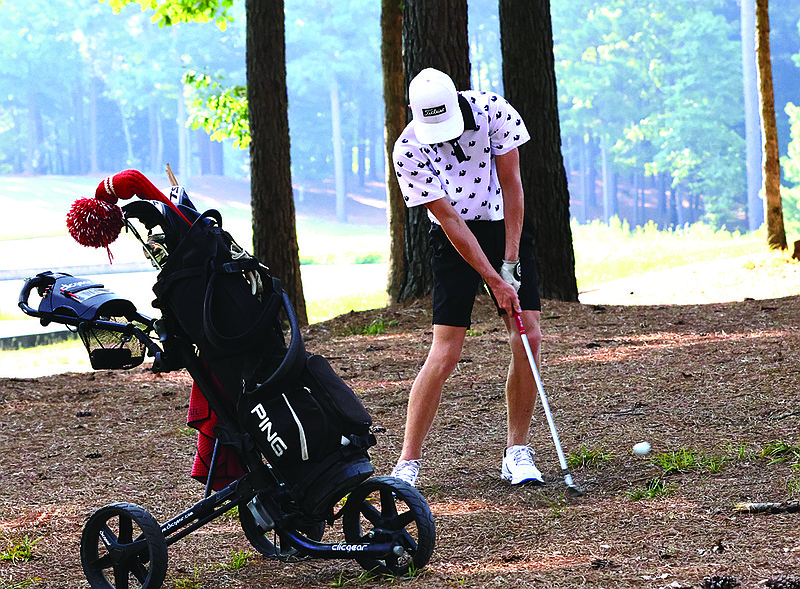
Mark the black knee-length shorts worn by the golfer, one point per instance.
(455, 282)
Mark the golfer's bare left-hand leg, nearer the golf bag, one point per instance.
(426, 391)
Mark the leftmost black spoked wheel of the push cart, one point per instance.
(122, 547)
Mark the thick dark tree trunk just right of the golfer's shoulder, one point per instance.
(530, 84)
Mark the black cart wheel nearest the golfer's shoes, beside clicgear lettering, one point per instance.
(386, 509)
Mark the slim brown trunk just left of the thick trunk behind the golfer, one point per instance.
(394, 121)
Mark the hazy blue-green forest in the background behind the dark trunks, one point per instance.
(651, 98)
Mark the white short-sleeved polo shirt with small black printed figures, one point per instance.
(430, 172)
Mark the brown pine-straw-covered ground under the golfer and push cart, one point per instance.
(716, 381)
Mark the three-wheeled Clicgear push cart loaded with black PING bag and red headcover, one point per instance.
(291, 435)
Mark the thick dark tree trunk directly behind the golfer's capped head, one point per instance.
(435, 35)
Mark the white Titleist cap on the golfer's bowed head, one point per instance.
(434, 105)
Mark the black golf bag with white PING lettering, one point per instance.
(291, 405)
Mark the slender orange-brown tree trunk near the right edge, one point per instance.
(776, 234)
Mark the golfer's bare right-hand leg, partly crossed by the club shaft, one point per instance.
(521, 392)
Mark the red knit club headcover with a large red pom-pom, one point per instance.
(97, 222)
